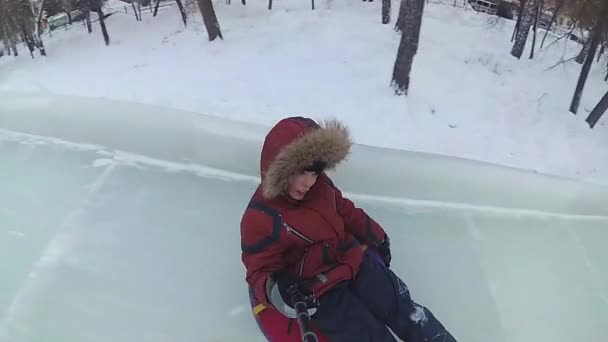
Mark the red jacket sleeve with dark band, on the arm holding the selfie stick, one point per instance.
(261, 251)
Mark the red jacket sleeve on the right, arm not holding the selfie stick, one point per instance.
(356, 220)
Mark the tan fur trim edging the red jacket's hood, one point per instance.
(330, 143)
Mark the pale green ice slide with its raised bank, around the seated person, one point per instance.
(120, 222)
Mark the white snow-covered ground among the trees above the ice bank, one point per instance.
(469, 97)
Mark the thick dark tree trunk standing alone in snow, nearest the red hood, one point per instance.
(408, 46)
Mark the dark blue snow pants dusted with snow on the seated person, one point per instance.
(360, 310)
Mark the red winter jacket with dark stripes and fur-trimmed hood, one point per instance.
(318, 238)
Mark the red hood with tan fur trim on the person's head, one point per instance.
(295, 143)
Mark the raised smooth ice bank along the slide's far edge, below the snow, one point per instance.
(211, 145)
